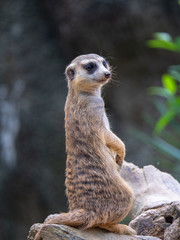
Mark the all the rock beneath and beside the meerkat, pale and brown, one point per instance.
(156, 210)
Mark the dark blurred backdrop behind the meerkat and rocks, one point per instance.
(38, 38)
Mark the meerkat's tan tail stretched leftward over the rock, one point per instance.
(76, 218)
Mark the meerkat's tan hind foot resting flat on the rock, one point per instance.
(119, 228)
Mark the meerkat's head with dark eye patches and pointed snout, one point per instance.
(88, 72)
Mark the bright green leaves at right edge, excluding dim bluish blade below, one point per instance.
(170, 89)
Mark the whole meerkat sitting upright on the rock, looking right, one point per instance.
(97, 194)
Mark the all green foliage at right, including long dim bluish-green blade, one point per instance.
(166, 130)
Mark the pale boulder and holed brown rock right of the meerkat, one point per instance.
(156, 208)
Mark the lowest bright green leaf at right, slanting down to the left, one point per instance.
(163, 121)
